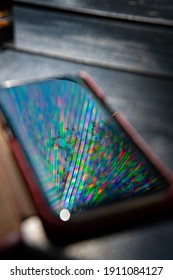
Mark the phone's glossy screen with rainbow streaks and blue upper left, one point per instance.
(80, 155)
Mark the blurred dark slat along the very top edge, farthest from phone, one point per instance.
(158, 11)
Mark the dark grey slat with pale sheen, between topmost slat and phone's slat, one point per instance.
(91, 40)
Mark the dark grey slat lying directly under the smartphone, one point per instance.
(148, 103)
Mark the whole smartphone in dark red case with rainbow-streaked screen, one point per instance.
(87, 169)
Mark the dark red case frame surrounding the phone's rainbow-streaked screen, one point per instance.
(99, 219)
